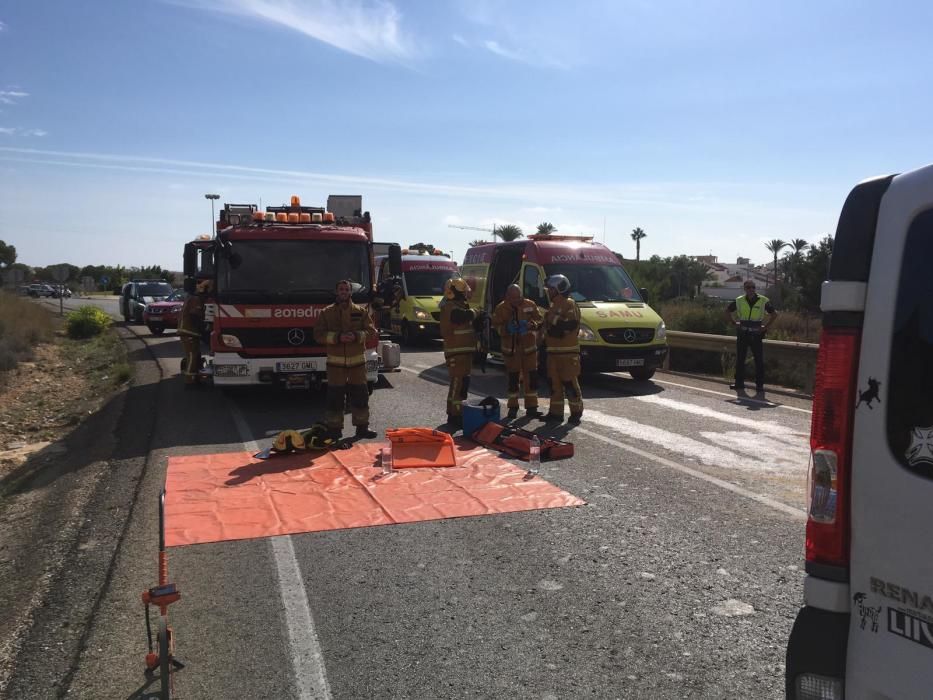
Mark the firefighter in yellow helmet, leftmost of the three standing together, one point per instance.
(459, 334)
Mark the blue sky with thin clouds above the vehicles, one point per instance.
(713, 126)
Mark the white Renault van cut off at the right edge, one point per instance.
(866, 630)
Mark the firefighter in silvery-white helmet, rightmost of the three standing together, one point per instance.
(562, 323)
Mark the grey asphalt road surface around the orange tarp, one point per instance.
(679, 578)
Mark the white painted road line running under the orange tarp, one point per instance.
(307, 658)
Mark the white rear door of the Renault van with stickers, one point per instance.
(890, 651)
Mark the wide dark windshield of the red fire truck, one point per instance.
(292, 271)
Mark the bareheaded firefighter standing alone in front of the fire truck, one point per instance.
(344, 327)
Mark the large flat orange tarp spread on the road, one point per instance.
(232, 496)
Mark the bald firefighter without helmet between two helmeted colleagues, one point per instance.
(516, 320)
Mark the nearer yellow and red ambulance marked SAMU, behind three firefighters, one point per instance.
(619, 331)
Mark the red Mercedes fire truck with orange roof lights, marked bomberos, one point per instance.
(274, 272)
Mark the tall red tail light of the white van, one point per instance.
(834, 400)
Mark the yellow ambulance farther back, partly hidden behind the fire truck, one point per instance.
(416, 314)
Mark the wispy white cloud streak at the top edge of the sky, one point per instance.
(369, 29)
